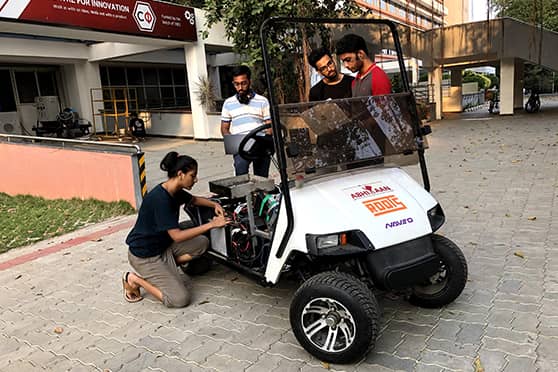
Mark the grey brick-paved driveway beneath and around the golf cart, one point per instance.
(496, 179)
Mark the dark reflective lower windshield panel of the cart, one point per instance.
(332, 135)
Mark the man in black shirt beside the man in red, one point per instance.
(334, 84)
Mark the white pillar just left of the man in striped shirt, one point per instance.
(196, 66)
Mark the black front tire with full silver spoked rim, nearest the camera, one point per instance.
(351, 314)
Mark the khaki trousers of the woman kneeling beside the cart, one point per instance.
(163, 272)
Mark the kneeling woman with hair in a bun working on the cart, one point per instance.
(157, 246)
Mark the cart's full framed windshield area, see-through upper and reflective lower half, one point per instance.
(340, 94)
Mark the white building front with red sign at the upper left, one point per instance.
(73, 53)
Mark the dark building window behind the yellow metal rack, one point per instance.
(155, 87)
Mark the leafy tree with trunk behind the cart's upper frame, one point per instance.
(242, 20)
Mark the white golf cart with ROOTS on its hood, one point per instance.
(344, 217)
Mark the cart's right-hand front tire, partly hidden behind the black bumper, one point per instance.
(446, 285)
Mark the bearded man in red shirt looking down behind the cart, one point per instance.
(370, 80)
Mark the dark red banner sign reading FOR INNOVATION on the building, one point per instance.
(144, 18)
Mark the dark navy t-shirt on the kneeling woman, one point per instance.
(158, 213)
